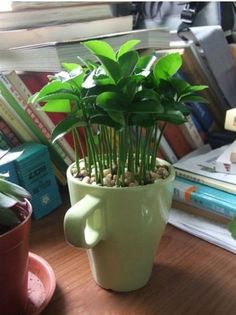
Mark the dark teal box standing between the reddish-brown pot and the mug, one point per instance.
(35, 173)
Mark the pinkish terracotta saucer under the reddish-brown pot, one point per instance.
(41, 284)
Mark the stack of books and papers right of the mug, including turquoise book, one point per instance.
(202, 190)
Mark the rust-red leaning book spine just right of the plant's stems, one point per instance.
(177, 141)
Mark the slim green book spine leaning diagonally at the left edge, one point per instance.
(6, 92)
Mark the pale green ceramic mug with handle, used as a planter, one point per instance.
(120, 227)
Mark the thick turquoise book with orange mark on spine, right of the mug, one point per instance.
(207, 198)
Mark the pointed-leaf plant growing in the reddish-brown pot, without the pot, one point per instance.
(10, 196)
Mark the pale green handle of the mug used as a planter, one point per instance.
(84, 222)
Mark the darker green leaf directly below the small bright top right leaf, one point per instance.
(127, 63)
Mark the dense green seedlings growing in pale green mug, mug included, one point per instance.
(120, 192)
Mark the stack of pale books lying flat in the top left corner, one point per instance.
(38, 22)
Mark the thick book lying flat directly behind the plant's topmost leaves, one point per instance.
(53, 54)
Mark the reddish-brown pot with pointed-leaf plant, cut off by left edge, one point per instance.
(15, 215)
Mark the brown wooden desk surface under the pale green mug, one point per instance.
(189, 277)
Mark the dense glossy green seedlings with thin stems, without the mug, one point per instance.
(119, 101)
